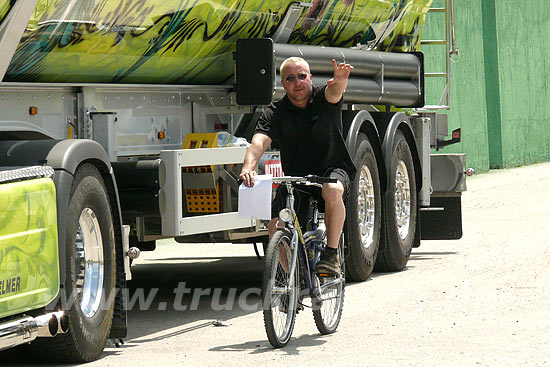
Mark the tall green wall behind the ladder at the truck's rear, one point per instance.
(500, 81)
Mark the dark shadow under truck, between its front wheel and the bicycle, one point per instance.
(190, 295)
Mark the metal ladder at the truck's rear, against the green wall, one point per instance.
(450, 43)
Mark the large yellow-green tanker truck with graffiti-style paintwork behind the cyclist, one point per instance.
(120, 124)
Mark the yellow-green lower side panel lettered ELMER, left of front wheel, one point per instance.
(28, 246)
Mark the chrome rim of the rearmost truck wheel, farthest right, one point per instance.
(402, 199)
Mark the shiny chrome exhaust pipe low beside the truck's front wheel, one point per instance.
(26, 329)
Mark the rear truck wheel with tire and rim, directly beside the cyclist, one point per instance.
(363, 213)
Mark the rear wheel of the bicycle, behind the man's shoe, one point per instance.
(328, 312)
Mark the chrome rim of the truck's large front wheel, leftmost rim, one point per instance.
(89, 262)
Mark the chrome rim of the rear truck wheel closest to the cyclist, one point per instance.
(366, 207)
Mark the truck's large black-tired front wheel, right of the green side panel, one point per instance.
(89, 322)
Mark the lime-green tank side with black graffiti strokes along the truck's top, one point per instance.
(191, 41)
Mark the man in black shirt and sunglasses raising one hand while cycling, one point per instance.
(307, 124)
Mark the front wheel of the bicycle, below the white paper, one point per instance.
(279, 290)
